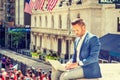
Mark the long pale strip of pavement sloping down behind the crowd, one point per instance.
(24, 59)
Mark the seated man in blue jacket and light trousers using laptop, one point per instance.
(84, 63)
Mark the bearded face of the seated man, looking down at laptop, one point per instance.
(78, 30)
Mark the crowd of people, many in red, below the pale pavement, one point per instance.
(9, 72)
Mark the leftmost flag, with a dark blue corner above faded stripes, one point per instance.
(29, 5)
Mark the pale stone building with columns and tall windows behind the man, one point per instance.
(51, 31)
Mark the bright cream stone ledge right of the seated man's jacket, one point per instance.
(110, 71)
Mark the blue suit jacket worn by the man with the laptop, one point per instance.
(89, 56)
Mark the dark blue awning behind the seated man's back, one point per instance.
(110, 45)
